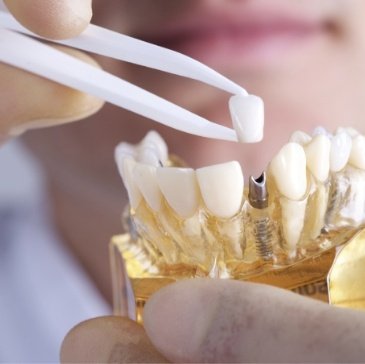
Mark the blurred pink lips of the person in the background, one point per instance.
(247, 39)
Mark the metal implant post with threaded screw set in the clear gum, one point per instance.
(258, 198)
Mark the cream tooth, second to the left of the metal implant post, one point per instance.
(180, 188)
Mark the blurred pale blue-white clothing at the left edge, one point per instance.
(43, 291)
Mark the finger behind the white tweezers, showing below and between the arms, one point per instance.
(28, 101)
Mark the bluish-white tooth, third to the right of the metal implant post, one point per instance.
(341, 145)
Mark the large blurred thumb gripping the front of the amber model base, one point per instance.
(232, 321)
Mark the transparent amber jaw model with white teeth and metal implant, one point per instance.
(298, 226)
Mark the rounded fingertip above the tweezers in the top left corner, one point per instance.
(54, 19)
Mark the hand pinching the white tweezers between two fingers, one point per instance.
(28, 101)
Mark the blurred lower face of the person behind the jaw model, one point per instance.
(305, 58)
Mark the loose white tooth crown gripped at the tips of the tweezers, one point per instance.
(247, 113)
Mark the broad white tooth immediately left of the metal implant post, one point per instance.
(221, 187)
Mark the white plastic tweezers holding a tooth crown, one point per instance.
(19, 50)
